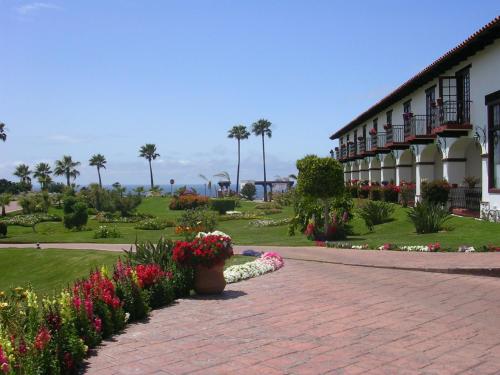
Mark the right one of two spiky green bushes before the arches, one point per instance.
(428, 217)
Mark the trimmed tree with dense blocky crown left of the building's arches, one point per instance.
(321, 179)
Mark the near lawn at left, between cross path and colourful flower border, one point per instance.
(49, 270)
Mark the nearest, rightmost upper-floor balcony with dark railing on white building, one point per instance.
(452, 118)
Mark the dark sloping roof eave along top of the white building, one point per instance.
(477, 41)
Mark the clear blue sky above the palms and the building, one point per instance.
(80, 77)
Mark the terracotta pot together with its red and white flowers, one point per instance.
(206, 254)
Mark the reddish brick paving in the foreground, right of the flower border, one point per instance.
(315, 318)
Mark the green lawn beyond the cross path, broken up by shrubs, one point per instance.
(464, 231)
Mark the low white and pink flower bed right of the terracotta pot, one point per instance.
(267, 262)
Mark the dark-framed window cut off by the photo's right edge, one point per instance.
(493, 103)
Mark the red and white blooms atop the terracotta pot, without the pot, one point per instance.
(207, 249)
